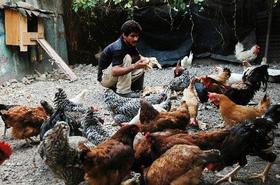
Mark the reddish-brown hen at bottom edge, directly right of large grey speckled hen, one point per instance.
(110, 161)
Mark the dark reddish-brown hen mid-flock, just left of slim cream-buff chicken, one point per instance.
(152, 120)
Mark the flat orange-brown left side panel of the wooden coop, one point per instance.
(12, 19)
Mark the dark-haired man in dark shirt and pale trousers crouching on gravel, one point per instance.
(120, 63)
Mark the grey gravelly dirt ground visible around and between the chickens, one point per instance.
(19, 169)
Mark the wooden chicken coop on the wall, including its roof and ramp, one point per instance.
(24, 26)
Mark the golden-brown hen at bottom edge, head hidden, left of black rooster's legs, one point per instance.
(181, 164)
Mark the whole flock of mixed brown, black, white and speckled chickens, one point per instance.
(153, 145)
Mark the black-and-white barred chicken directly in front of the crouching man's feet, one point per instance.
(124, 109)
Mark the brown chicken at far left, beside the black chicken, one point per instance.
(25, 121)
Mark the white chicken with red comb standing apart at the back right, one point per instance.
(247, 55)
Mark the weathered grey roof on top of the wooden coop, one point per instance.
(27, 9)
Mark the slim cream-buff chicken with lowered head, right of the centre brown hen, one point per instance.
(192, 101)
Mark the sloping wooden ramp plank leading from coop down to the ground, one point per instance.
(57, 59)
